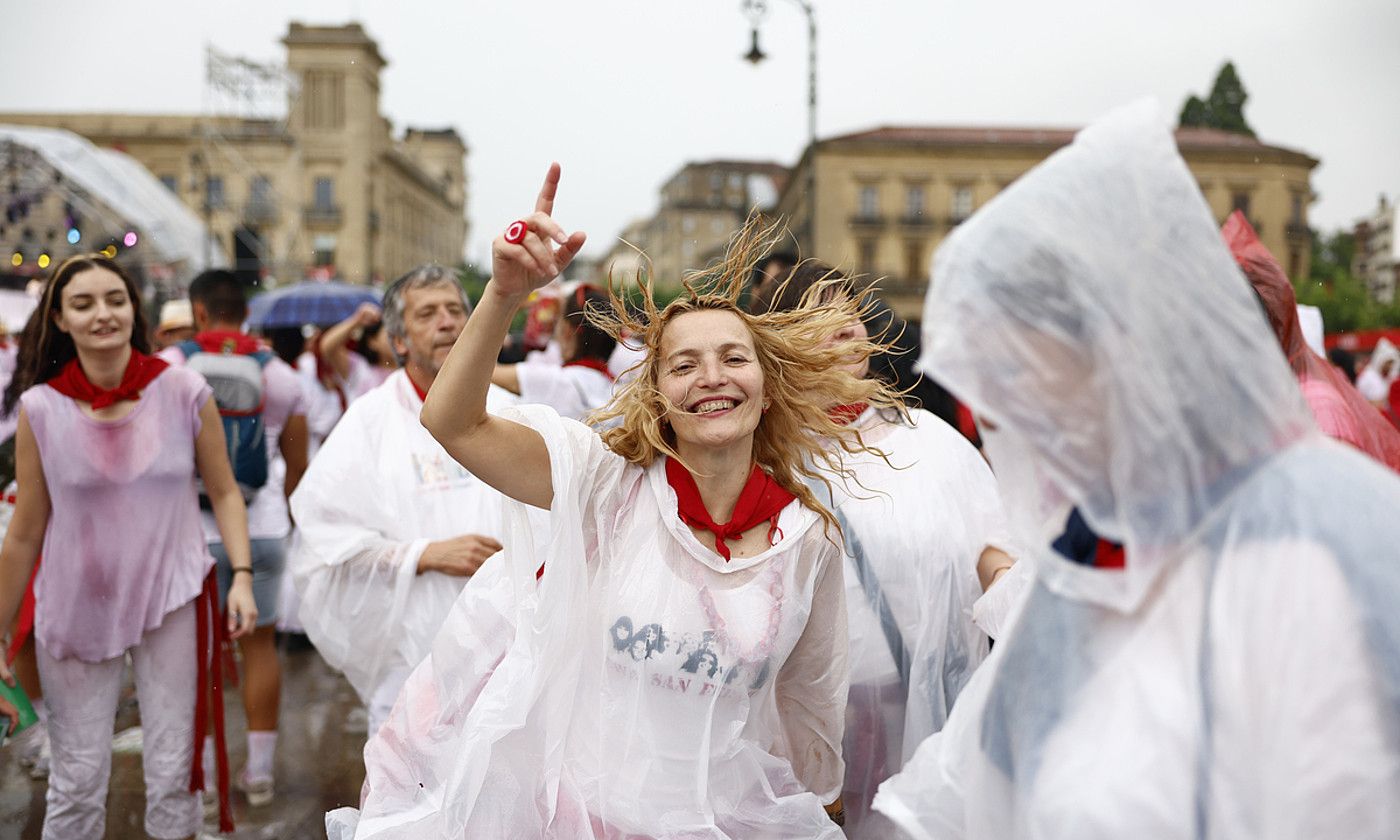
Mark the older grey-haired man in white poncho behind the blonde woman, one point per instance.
(391, 526)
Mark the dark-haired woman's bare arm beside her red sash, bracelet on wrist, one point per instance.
(212, 463)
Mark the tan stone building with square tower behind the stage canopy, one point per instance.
(328, 187)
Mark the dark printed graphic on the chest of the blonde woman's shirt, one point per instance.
(692, 664)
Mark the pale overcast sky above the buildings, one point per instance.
(625, 92)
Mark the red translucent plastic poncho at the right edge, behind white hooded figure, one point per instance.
(1339, 409)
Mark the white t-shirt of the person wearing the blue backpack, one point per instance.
(282, 401)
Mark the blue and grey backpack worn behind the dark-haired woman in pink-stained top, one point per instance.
(239, 386)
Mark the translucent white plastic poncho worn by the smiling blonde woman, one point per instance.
(643, 688)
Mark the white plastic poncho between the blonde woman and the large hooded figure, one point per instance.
(915, 528)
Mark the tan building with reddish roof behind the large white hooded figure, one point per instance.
(885, 198)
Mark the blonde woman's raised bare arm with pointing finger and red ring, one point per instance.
(507, 456)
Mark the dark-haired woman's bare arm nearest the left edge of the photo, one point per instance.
(24, 540)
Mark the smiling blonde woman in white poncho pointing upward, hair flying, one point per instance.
(668, 657)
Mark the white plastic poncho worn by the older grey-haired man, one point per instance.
(379, 492)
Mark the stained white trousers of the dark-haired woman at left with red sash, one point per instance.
(82, 699)
